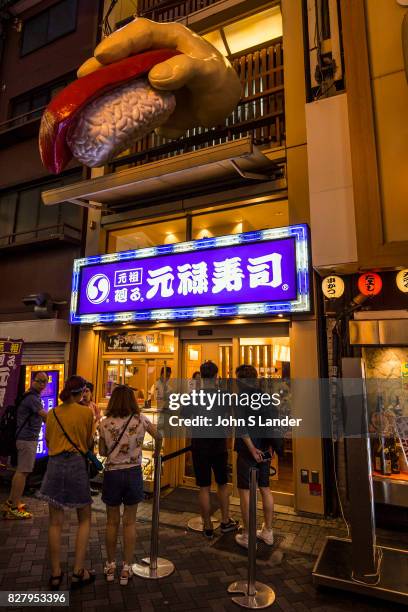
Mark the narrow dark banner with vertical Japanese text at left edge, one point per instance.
(10, 362)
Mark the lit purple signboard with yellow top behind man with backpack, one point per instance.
(49, 396)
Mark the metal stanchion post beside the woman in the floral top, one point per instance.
(154, 567)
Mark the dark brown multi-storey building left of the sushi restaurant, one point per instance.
(42, 43)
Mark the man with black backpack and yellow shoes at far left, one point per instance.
(29, 418)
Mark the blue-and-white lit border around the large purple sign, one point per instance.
(302, 303)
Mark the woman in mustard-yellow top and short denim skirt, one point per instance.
(69, 435)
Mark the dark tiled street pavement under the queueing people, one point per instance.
(203, 571)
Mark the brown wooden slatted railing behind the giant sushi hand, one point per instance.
(259, 114)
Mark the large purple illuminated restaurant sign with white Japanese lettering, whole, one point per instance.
(254, 273)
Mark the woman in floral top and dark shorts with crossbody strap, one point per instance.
(121, 438)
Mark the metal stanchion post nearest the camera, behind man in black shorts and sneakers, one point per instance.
(254, 595)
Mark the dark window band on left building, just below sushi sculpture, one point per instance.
(23, 216)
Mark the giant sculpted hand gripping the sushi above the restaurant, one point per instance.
(206, 86)
